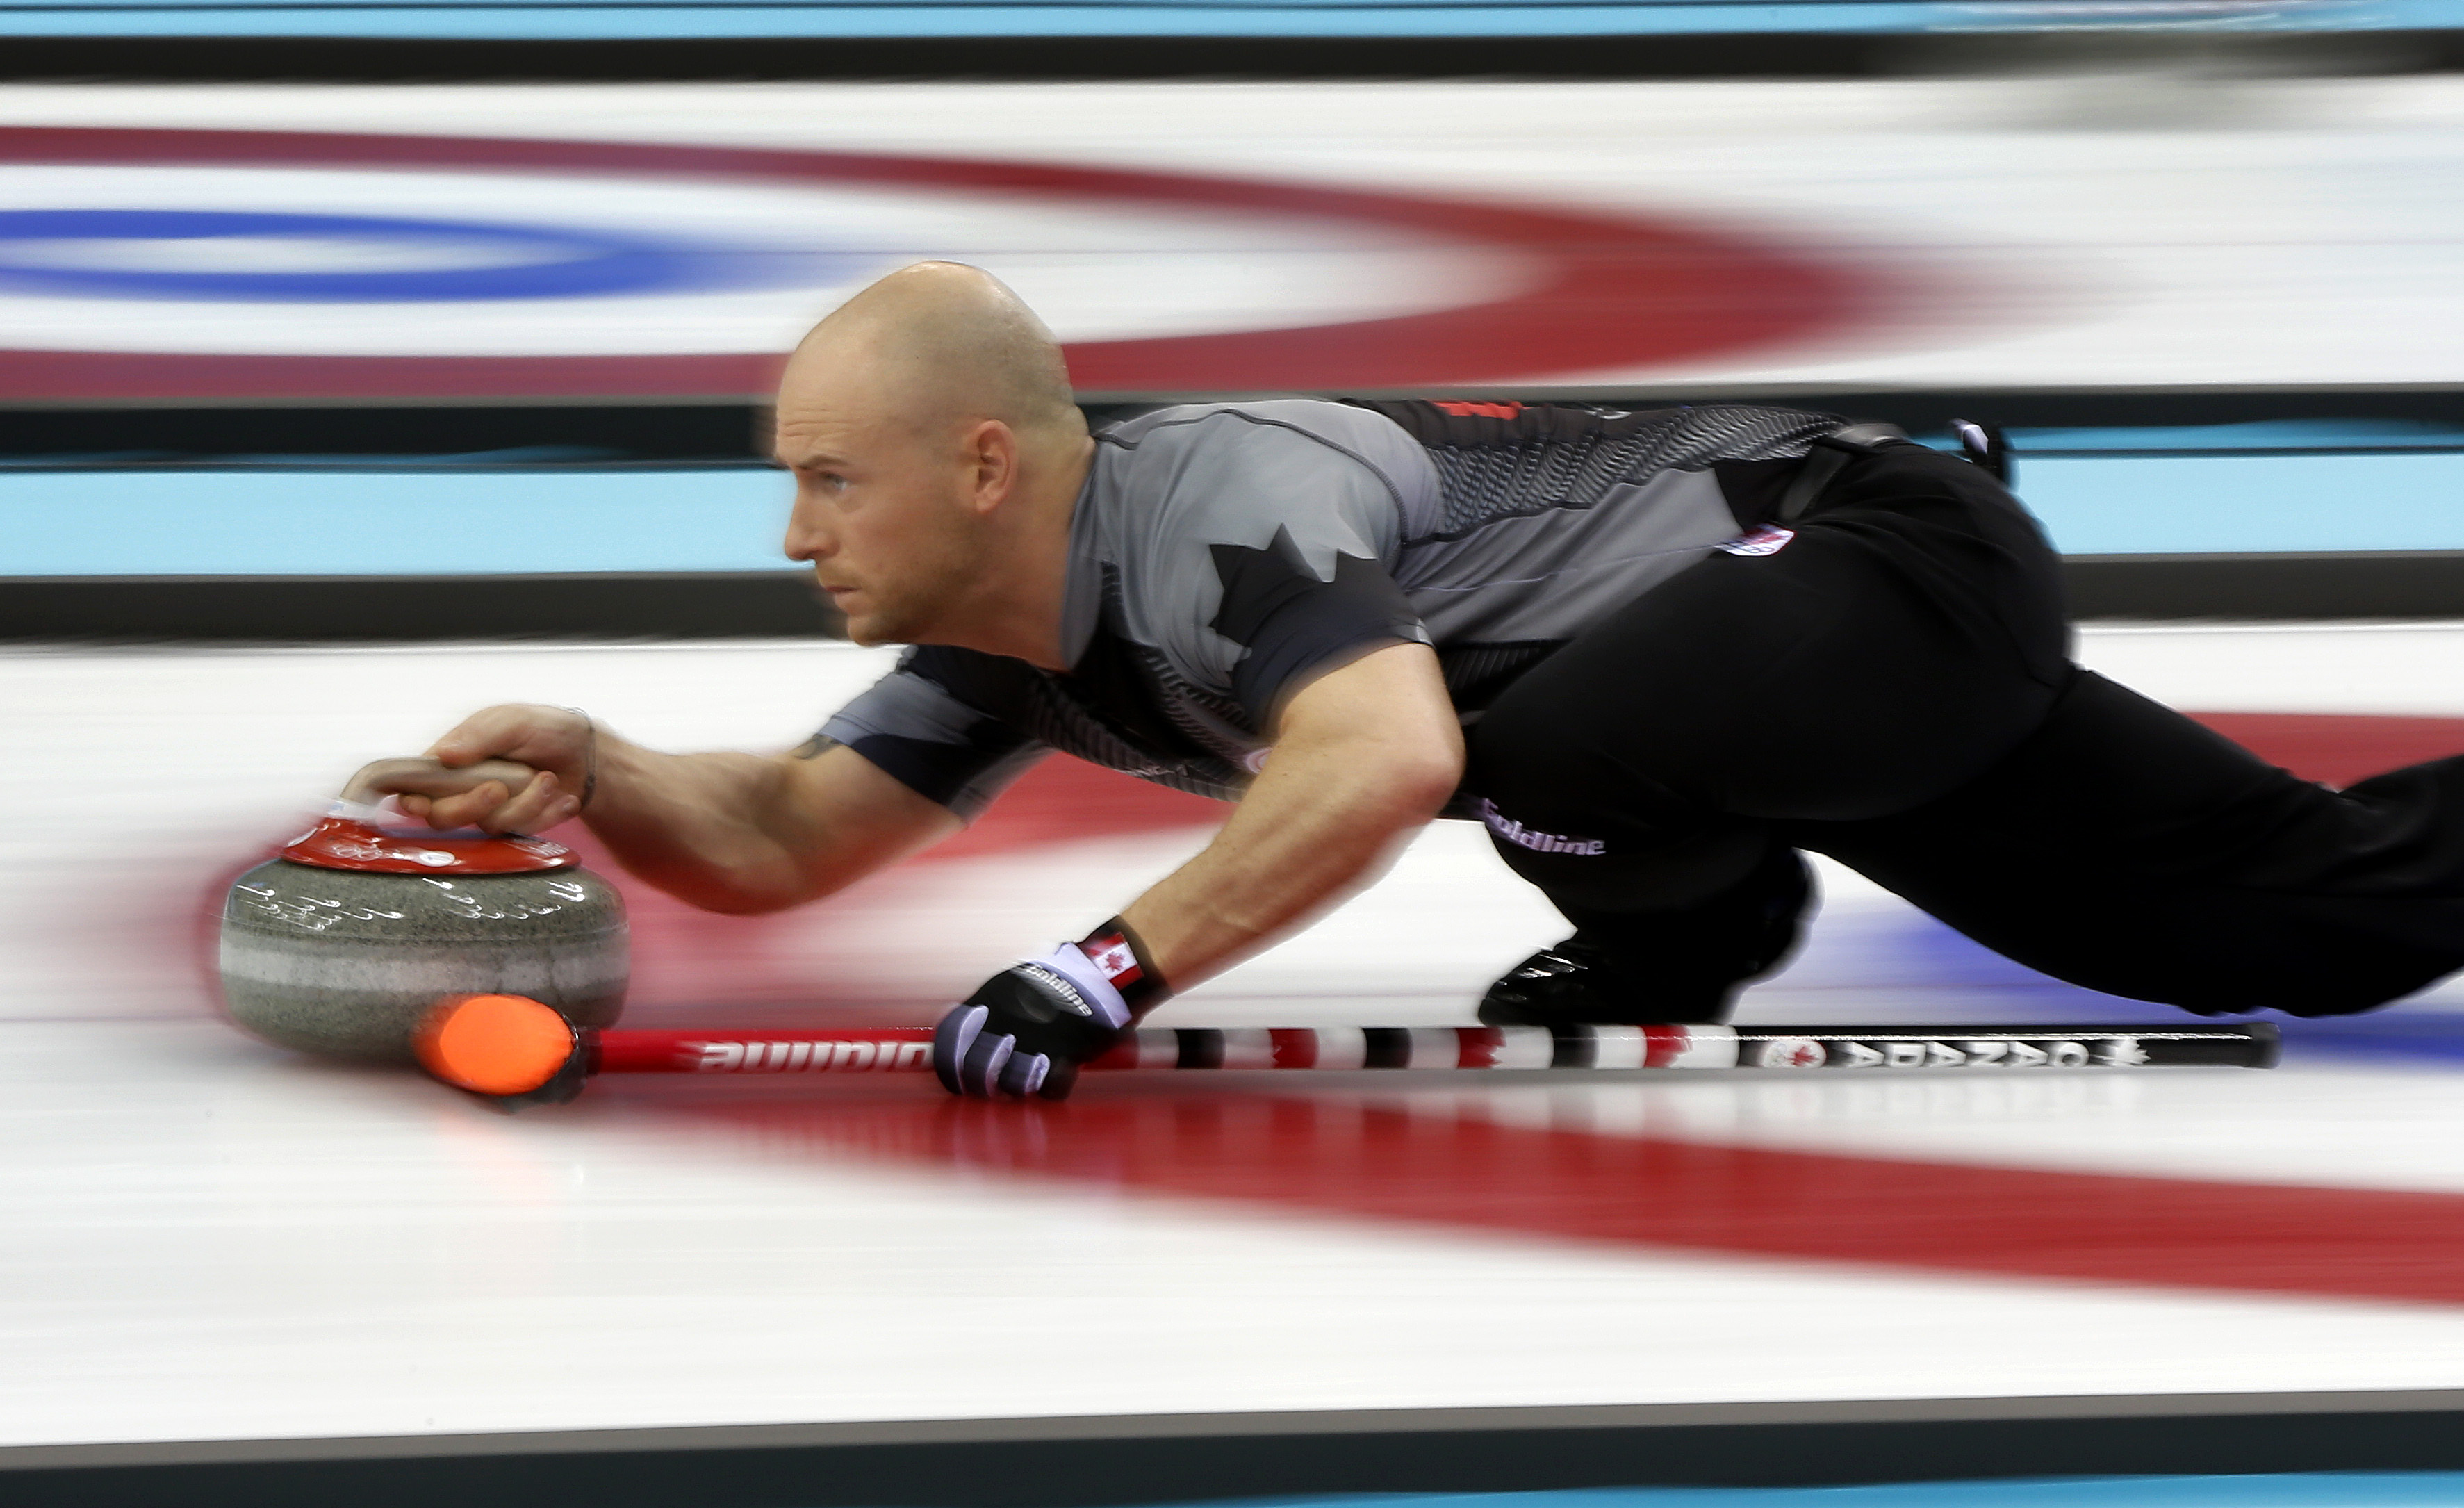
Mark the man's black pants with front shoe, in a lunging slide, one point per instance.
(1894, 691)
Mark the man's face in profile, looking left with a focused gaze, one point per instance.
(881, 501)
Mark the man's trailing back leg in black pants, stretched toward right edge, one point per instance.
(2133, 851)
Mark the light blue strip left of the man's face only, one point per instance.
(359, 524)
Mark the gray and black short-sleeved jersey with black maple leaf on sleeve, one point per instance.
(1226, 553)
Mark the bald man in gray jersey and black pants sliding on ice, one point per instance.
(1657, 654)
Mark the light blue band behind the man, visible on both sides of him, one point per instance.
(516, 521)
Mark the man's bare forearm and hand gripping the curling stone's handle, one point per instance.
(723, 832)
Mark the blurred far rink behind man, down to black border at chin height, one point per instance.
(314, 319)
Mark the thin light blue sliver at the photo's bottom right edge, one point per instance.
(2308, 1490)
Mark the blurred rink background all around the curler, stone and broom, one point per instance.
(368, 363)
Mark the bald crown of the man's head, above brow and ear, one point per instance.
(940, 346)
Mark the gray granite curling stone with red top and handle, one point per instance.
(349, 938)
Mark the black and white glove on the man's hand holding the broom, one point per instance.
(1029, 1029)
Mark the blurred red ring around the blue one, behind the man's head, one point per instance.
(1613, 292)
